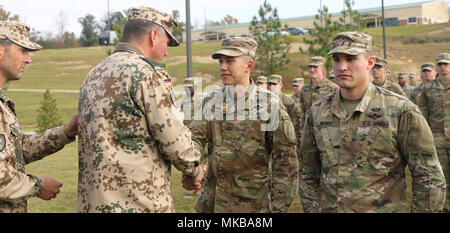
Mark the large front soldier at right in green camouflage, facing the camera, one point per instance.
(358, 140)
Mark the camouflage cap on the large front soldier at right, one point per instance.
(351, 43)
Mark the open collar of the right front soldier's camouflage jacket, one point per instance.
(337, 107)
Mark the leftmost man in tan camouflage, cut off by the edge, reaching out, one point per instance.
(16, 147)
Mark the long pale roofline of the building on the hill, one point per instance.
(406, 5)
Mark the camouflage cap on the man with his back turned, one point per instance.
(158, 17)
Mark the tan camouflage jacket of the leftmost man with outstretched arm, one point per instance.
(18, 149)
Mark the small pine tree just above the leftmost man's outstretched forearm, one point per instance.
(48, 116)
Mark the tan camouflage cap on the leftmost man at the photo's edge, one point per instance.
(18, 33)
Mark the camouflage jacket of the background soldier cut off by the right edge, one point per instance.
(434, 101)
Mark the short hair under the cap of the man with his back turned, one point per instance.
(136, 28)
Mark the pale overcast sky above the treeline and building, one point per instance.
(42, 15)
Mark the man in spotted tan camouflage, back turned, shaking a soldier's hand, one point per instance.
(132, 131)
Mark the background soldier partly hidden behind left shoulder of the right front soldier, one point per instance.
(317, 87)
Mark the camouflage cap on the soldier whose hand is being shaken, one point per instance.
(237, 46)
